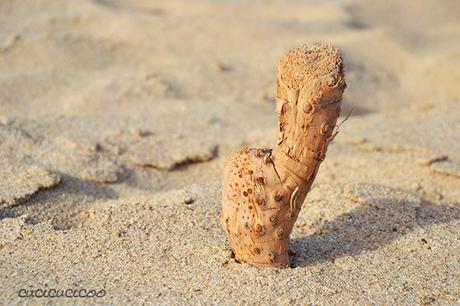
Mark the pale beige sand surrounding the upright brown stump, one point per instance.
(116, 118)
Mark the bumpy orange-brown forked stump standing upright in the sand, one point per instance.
(263, 191)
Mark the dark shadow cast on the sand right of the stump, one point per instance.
(367, 228)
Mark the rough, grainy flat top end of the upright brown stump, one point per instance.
(302, 65)
